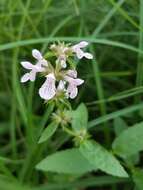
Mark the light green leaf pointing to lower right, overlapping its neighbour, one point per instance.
(102, 159)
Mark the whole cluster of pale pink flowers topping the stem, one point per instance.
(61, 76)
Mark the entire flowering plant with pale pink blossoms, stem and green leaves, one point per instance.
(61, 84)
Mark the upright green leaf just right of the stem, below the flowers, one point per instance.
(79, 118)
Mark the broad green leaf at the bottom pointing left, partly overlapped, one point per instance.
(68, 161)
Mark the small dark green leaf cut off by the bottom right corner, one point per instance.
(137, 175)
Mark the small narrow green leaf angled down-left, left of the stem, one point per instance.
(48, 132)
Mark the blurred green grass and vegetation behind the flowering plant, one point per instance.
(112, 91)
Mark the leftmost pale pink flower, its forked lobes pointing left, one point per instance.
(32, 74)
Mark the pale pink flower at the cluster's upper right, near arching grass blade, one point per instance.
(79, 52)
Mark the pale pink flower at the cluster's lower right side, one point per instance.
(73, 82)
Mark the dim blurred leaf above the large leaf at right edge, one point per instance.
(119, 125)
